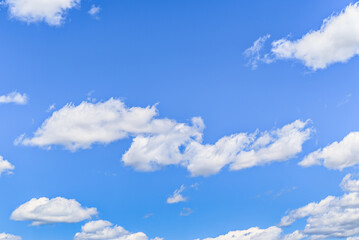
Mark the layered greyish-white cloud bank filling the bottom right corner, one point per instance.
(332, 217)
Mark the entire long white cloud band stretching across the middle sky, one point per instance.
(160, 142)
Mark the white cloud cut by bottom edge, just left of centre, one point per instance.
(104, 230)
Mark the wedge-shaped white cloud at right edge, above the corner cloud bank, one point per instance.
(337, 155)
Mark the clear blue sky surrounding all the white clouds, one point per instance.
(187, 56)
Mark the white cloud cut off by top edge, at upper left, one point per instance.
(52, 12)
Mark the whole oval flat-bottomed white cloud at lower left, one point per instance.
(57, 210)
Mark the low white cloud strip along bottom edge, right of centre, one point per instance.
(255, 233)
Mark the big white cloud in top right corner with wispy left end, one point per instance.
(336, 41)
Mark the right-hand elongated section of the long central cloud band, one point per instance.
(247, 150)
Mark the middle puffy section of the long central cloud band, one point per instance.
(148, 152)
